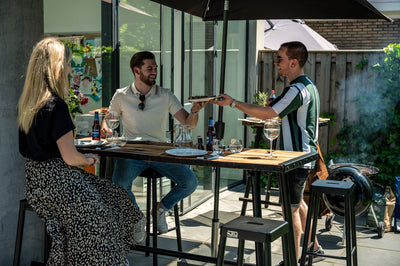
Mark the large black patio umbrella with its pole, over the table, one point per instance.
(211, 10)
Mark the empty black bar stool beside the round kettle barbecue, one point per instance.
(345, 189)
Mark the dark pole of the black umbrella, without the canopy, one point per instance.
(220, 125)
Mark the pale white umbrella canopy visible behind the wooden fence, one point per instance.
(279, 31)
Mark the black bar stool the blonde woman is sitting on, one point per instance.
(23, 207)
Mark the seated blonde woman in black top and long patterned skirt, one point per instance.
(91, 220)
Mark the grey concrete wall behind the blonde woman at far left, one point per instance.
(21, 26)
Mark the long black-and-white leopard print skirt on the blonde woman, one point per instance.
(90, 219)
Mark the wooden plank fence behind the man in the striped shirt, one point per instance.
(339, 81)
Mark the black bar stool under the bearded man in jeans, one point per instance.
(151, 202)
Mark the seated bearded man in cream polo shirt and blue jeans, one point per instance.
(143, 108)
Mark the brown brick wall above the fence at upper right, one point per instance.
(358, 34)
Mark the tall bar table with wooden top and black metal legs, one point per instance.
(249, 159)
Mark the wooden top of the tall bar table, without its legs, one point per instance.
(248, 159)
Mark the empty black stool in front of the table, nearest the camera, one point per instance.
(256, 229)
